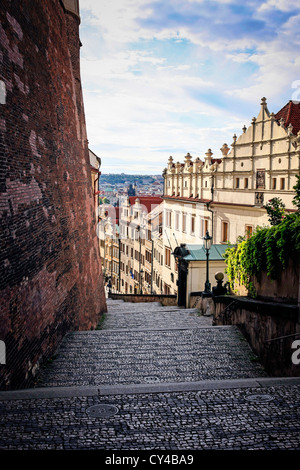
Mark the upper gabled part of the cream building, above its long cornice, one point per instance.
(261, 164)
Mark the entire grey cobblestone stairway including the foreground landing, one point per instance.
(172, 382)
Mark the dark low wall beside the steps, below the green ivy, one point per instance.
(269, 327)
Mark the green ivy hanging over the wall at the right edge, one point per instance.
(268, 249)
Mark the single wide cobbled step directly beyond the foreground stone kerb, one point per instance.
(140, 356)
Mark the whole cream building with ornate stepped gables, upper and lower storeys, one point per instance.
(226, 195)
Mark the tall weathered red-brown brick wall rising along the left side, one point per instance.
(51, 279)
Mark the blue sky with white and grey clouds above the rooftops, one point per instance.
(163, 78)
